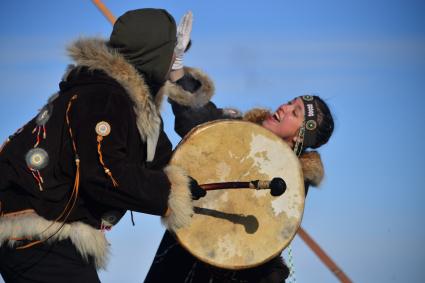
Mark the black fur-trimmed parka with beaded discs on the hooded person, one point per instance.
(105, 153)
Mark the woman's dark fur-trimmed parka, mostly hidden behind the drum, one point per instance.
(191, 107)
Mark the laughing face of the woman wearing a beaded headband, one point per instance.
(287, 120)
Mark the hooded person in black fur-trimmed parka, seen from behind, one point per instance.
(95, 150)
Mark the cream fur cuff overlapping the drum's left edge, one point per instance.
(179, 200)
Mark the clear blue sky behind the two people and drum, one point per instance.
(366, 58)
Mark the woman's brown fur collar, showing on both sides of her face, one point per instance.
(311, 162)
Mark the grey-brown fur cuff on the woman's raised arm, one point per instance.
(196, 99)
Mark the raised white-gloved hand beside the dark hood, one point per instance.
(183, 38)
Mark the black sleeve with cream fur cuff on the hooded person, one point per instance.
(130, 185)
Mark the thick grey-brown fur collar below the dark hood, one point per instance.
(95, 54)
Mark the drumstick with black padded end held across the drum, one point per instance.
(277, 186)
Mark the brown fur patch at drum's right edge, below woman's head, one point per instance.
(312, 166)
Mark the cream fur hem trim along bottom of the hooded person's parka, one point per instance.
(86, 239)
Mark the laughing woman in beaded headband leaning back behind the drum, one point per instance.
(292, 122)
